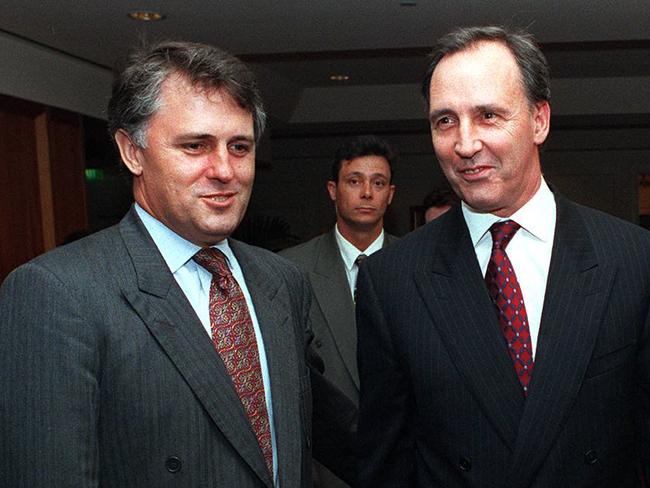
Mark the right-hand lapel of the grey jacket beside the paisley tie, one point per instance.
(278, 332)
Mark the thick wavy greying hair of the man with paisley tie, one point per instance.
(136, 89)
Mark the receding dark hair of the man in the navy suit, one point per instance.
(535, 74)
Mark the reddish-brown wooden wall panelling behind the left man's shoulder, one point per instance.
(42, 187)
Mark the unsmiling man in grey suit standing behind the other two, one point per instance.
(361, 189)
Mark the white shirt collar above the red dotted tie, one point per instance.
(537, 217)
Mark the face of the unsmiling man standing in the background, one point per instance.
(362, 193)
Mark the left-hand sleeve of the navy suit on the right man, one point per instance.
(386, 429)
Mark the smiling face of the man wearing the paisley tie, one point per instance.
(197, 171)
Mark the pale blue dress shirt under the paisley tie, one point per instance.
(195, 282)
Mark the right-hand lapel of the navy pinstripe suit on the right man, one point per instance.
(576, 296)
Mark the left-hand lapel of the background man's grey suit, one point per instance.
(332, 292)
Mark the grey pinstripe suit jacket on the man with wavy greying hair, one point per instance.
(109, 379)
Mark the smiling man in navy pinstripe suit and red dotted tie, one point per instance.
(505, 344)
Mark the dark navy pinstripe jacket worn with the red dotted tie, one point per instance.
(440, 403)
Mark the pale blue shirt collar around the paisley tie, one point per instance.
(175, 250)
